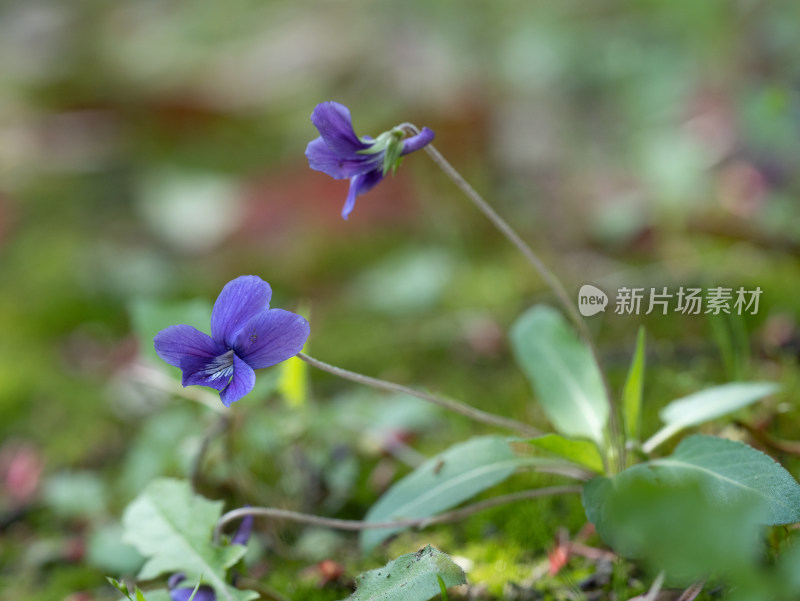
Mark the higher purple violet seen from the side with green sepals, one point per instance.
(340, 153)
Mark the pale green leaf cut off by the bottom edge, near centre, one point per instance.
(411, 577)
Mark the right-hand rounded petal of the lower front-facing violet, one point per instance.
(271, 337)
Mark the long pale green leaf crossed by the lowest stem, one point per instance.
(442, 482)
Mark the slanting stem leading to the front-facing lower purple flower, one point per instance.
(455, 406)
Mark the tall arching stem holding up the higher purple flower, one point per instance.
(548, 276)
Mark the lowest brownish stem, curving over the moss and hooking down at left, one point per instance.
(357, 525)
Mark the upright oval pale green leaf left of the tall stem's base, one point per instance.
(563, 373)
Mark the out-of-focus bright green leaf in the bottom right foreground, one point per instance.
(675, 525)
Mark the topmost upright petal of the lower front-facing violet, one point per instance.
(238, 302)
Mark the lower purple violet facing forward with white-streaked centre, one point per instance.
(245, 335)
